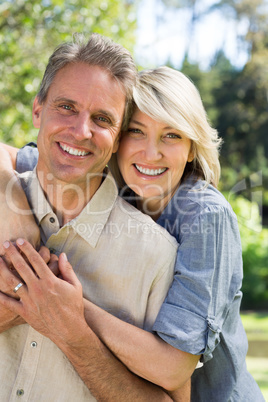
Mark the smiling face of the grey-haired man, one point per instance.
(78, 123)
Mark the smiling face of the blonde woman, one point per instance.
(152, 157)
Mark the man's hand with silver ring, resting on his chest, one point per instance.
(52, 306)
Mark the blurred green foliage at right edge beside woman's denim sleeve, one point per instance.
(254, 240)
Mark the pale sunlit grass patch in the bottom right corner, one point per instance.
(256, 326)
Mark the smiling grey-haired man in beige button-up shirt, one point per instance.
(122, 259)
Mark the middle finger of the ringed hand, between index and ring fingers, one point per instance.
(19, 263)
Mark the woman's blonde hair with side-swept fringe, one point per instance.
(168, 96)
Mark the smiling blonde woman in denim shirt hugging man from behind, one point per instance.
(167, 165)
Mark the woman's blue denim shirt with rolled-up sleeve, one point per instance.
(201, 313)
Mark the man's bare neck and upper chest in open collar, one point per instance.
(66, 199)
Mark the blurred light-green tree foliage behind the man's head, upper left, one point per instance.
(29, 32)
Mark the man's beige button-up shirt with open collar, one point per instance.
(125, 264)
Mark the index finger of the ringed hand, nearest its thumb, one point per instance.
(36, 261)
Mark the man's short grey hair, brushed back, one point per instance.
(98, 51)
